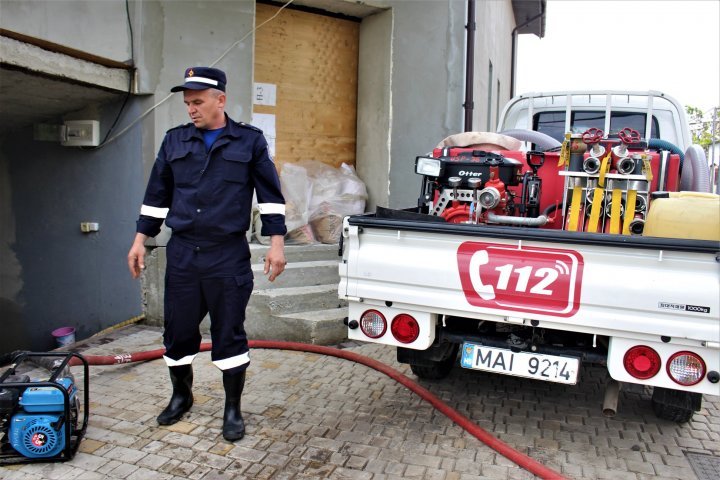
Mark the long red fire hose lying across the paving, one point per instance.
(520, 459)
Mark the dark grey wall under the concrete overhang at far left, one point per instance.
(53, 275)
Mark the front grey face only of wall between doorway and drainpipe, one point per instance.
(427, 87)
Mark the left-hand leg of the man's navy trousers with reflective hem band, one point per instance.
(185, 306)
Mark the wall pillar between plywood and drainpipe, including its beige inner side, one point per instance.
(410, 92)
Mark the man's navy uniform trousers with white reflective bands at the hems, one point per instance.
(198, 280)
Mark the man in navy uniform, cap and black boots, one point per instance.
(202, 187)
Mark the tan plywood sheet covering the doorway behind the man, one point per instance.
(312, 59)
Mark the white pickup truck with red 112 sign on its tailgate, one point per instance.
(533, 259)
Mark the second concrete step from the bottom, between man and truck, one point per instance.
(277, 301)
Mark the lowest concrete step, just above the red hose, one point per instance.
(319, 327)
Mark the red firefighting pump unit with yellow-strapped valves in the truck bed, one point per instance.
(593, 183)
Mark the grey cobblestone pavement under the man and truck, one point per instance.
(310, 416)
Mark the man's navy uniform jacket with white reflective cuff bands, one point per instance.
(206, 197)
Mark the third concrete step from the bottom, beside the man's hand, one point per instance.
(298, 274)
